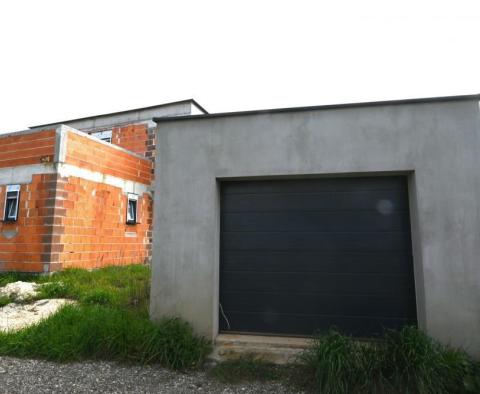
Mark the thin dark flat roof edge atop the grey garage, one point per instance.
(321, 107)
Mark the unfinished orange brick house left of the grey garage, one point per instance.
(78, 193)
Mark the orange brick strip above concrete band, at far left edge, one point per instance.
(32, 148)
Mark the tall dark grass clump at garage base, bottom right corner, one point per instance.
(405, 361)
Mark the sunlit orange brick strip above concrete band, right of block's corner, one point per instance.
(85, 152)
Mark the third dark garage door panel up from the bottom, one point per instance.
(314, 282)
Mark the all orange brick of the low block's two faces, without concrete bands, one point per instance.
(69, 221)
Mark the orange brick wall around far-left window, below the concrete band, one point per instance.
(25, 245)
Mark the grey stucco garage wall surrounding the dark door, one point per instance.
(437, 144)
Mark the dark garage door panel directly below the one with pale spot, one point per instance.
(353, 221)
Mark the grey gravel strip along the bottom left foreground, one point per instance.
(34, 376)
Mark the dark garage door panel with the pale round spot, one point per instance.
(376, 201)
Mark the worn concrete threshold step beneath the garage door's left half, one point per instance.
(274, 349)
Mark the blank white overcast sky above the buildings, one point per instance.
(67, 59)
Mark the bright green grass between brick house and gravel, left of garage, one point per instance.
(109, 322)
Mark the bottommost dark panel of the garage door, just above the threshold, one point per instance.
(268, 323)
